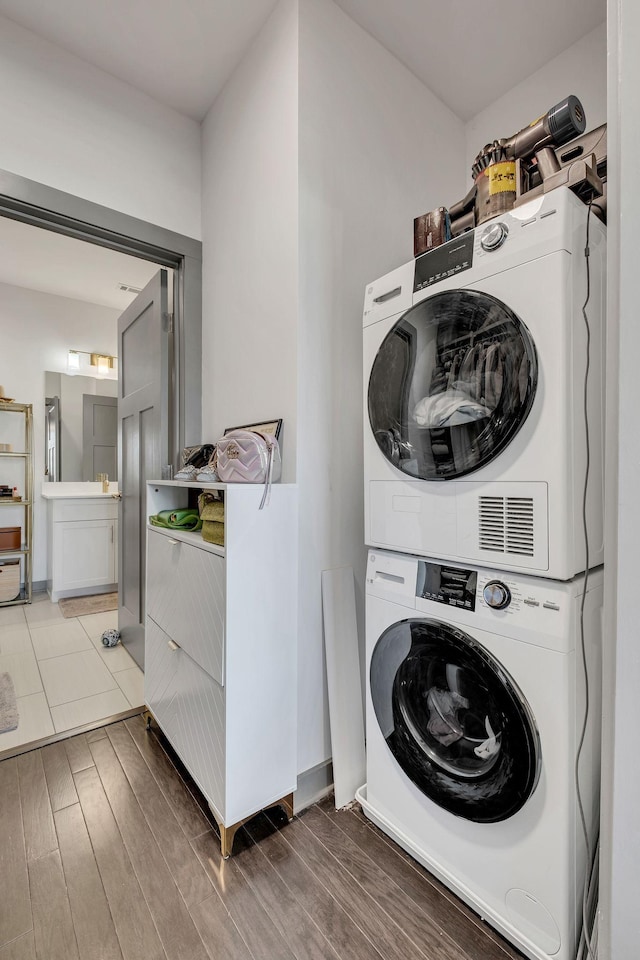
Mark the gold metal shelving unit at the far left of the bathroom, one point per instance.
(25, 551)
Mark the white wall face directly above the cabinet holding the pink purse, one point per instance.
(250, 224)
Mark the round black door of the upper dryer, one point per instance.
(451, 385)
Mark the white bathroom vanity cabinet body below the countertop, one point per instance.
(82, 547)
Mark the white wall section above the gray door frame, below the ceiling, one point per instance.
(74, 127)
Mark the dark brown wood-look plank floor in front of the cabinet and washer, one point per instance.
(106, 855)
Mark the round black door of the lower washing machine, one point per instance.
(454, 720)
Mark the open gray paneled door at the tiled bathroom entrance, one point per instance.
(143, 423)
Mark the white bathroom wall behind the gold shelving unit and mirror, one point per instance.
(37, 331)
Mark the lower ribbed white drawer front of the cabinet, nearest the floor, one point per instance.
(189, 706)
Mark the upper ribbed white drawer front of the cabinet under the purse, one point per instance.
(186, 598)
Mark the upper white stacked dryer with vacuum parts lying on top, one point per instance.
(475, 358)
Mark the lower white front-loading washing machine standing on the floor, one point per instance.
(475, 704)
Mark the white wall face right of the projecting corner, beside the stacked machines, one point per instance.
(368, 166)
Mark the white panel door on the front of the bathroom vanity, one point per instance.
(83, 554)
